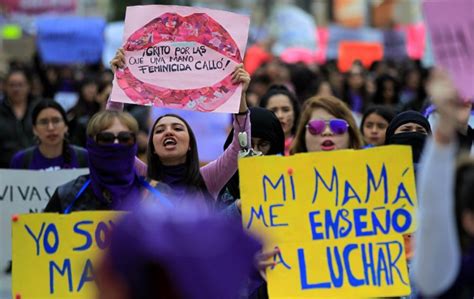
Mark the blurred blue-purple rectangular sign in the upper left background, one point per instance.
(65, 40)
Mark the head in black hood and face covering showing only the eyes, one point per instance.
(409, 128)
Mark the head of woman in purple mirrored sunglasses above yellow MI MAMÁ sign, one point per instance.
(326, 124)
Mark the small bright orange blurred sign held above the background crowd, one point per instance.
(366, 52)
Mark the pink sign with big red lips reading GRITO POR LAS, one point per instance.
(181, 57)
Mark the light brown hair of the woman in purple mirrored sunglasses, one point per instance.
(333, 106)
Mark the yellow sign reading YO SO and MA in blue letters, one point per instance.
(54, 255)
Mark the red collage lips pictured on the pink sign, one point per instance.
(171, 28)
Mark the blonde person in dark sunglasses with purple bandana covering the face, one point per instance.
(114, 175)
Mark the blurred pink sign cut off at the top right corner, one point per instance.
(450, 24)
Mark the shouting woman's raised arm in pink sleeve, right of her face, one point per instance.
(217, 173)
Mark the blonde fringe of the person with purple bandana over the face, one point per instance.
(104, 119)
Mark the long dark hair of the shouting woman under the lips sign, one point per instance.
(193, 177)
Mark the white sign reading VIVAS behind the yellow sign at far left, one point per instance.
(25, 191)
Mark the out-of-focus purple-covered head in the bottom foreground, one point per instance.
(175, 254)
